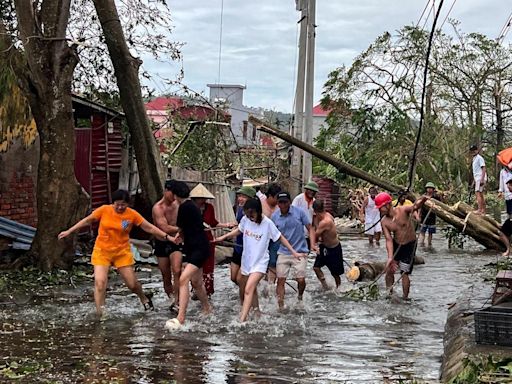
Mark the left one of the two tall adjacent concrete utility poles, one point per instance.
(295, 170)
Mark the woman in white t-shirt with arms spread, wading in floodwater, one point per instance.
(257, 231)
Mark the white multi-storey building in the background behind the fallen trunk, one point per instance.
(232, 96)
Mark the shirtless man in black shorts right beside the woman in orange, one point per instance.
(169, 255)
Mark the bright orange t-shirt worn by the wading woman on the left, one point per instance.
(114, 228)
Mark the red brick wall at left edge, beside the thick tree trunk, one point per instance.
(18, 178)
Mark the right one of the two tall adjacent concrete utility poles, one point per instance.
(307, 130)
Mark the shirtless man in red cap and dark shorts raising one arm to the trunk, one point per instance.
(402, 246)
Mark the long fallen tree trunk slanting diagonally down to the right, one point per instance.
(483, 229)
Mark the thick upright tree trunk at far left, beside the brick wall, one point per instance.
(44, 68)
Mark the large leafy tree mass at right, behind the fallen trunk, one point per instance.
(374, 117)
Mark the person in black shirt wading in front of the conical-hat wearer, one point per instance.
(195, 247)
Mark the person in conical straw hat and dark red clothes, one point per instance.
(199, 195)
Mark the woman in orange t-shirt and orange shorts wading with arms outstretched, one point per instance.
(112, 246)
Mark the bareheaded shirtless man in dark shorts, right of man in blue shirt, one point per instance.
(329, 253)
